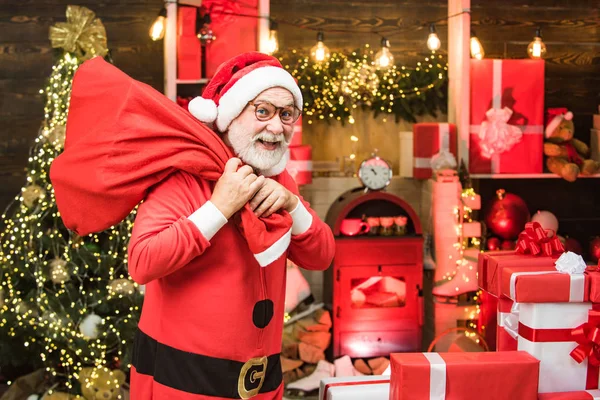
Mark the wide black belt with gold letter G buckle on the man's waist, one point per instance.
(200, 374)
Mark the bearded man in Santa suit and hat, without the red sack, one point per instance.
(212, 321)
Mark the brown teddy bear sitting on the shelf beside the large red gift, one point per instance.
(567, 156)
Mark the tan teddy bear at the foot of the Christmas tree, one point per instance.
(101, 383)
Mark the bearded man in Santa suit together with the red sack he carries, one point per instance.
(219, 218)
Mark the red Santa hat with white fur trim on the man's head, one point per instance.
(237, 82)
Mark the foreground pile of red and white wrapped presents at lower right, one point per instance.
(548, 336)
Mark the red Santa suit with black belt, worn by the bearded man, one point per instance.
(212, 320)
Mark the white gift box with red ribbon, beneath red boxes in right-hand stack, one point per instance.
(559, 372)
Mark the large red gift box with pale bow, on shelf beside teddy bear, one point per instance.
(507, 116)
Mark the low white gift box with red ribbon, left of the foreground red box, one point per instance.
(371, 387)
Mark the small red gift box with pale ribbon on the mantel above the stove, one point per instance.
(428, 140)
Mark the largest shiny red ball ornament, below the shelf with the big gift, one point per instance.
(507, 215)
